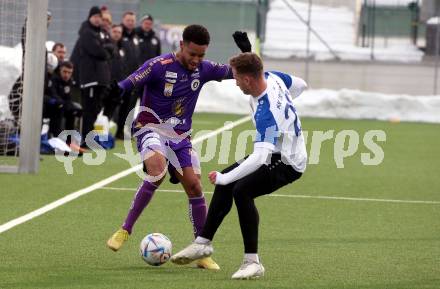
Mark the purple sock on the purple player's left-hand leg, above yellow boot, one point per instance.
(140, 201)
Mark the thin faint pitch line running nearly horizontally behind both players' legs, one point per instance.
(301, 197)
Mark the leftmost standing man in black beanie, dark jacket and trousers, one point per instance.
(94, 76)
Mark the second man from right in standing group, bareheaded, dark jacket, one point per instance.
(130, 44)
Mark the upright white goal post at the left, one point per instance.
(33, 86)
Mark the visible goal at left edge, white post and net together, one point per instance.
(23, 25)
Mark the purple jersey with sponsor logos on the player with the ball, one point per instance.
(171, 90)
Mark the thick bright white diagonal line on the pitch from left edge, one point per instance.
(70, 197)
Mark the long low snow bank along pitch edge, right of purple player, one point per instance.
(226, 97)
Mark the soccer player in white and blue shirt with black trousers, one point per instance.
(279, 158)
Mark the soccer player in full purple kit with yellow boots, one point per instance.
(172, 84)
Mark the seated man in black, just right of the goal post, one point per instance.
(59, 104)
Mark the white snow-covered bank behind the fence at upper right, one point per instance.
(286, 35)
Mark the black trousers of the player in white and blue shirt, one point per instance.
(265, 180)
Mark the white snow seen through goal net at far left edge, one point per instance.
(10, 70)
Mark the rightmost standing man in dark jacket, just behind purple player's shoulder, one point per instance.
(149, 43)
